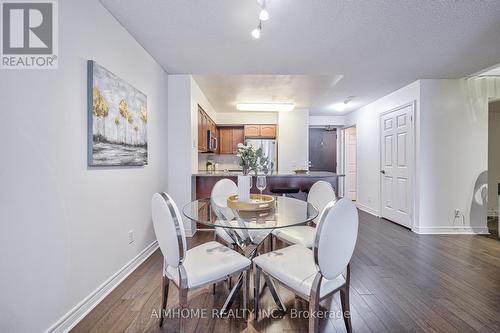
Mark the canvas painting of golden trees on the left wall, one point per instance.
(117, 120)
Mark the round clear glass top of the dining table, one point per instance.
(285, 212)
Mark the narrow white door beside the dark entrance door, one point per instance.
(351, 174)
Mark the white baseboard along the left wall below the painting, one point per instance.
(70, 319)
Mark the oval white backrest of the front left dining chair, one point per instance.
(169, 229)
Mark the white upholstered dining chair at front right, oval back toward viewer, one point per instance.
(317, 273)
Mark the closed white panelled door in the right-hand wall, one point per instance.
(396, 160)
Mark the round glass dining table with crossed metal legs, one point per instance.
(249, 228)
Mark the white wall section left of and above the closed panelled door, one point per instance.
(366, 120)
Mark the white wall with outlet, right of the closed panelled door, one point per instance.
(453, 153)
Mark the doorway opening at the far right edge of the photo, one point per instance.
(493, 166)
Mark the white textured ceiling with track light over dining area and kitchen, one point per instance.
(376, 46)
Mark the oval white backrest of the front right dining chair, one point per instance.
(336, 237)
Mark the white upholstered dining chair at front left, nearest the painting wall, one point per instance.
(197, 267)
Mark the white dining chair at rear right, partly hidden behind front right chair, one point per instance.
(320, 194)
